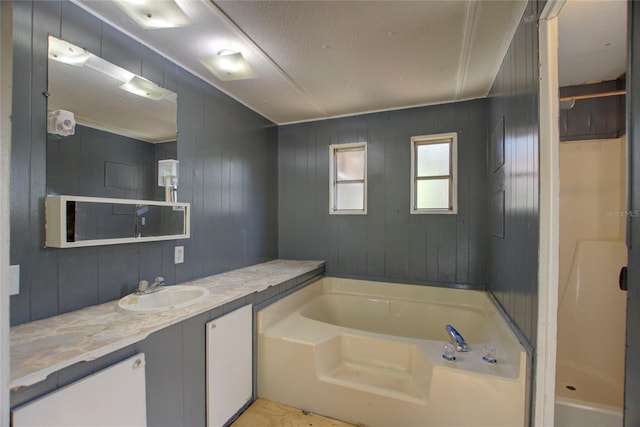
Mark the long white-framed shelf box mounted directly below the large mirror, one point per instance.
(78, 221)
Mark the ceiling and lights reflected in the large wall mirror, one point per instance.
(104, 96)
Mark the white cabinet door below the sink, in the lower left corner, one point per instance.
(114, 396)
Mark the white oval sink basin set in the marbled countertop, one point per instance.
(167, 298)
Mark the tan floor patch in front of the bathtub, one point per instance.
(265, 413)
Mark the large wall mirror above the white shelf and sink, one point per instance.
(121, 125)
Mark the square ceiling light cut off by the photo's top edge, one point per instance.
(154, 14)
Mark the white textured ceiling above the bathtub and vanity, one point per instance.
(318, 59)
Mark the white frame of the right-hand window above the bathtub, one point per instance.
(452, 139)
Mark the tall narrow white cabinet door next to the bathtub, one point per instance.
(229, 365)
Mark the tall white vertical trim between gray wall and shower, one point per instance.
(549, 257)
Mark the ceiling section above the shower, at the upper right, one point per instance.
(592, 41)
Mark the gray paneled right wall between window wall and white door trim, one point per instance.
(513, 259)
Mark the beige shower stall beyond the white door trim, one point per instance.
(591, 307)
